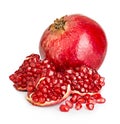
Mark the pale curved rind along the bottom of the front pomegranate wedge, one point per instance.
(67, 94)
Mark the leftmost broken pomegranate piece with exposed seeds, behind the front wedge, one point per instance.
(31, 68)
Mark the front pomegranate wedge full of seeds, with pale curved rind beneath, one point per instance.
(49, 90)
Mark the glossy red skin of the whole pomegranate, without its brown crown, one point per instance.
(82, 42)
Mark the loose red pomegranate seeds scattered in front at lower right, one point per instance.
(78, 100)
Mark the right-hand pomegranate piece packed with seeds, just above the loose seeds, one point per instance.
(84, 79)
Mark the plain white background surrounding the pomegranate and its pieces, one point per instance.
(22, 23)
